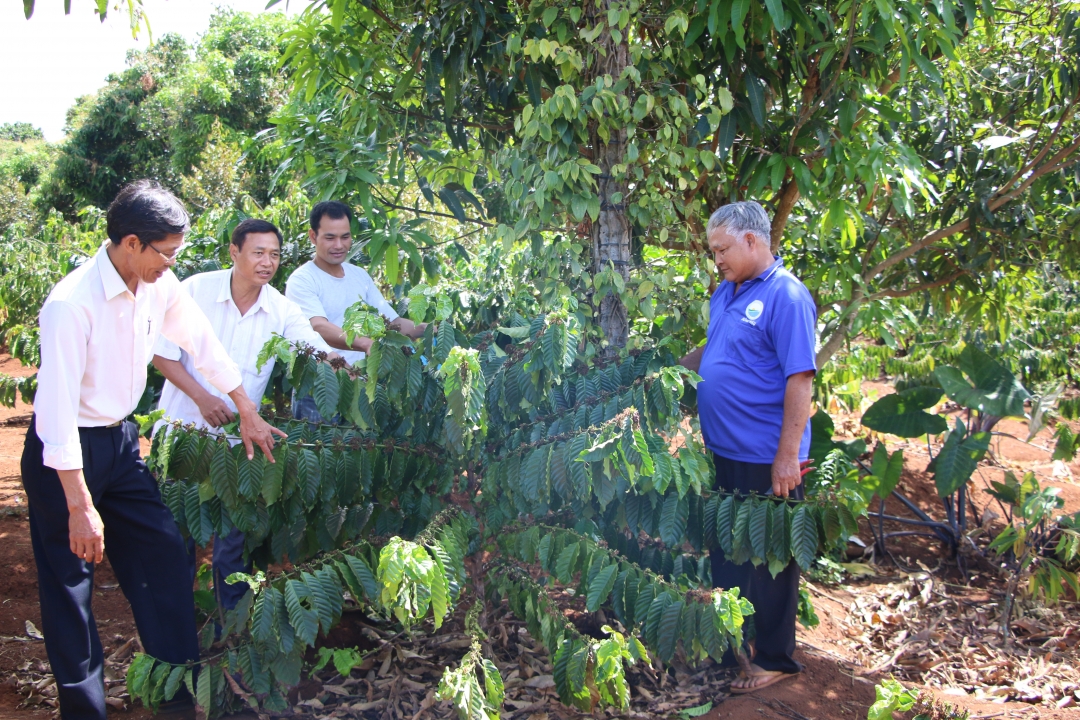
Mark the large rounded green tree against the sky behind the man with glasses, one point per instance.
(185, 116)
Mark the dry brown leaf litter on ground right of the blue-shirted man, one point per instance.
(948, 637)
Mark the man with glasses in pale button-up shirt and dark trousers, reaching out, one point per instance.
(85, 480)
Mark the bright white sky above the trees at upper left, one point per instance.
(52, 59)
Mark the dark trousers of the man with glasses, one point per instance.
(145, 549)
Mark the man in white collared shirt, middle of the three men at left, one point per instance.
(244, 311)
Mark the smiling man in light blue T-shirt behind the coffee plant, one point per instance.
(328, 286)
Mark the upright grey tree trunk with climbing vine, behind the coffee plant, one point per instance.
(611, 233)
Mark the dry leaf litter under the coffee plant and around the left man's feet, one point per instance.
(398, 678)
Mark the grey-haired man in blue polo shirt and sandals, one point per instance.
(758, 369)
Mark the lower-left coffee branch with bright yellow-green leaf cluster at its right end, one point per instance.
(265, 639)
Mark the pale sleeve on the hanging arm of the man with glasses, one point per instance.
(65, 333)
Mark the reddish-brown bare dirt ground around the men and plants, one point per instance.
(836, 684)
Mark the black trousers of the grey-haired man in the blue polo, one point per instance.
(775, 600)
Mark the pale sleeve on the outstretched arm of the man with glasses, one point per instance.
(187, 327)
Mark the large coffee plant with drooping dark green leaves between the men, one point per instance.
(498, 464)
